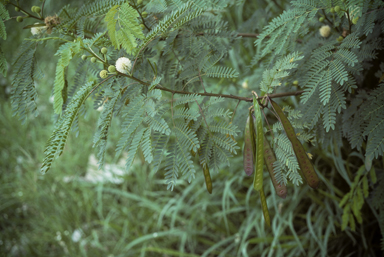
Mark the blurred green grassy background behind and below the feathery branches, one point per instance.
(77, 210)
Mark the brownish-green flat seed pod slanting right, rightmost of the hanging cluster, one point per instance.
(305, 164)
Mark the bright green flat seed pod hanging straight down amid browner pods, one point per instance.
(259, 153)
